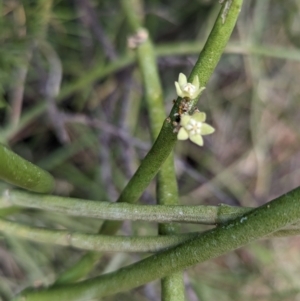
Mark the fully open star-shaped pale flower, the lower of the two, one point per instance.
(193, 127)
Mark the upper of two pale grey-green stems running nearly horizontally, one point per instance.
(208, 215)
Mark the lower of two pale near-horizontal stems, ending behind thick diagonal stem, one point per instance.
(94, 242)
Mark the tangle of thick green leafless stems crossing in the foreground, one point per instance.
(235, 226)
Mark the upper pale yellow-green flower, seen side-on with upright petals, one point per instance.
(189, 90)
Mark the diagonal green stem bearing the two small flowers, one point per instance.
(167, 138)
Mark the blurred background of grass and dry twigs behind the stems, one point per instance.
(72, 102)
